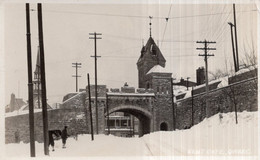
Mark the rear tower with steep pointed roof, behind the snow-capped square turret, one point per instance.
(150, 57)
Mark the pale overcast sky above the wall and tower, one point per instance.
(66, 40)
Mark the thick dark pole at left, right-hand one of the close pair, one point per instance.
(43, 82)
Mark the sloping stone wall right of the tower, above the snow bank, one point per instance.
(242, 94)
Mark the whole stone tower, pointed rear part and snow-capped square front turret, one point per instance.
(153, 75)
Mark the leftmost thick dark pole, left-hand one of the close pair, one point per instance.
(30, 84)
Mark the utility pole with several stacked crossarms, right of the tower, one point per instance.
(206, 55)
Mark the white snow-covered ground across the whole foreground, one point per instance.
(210, 137)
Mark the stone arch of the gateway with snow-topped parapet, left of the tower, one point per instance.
(136, 104)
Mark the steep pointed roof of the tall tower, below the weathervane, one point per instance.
(152, 50)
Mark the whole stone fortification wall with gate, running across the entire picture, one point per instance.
(76, 115)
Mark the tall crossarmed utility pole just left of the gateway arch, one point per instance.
(95, 44)
